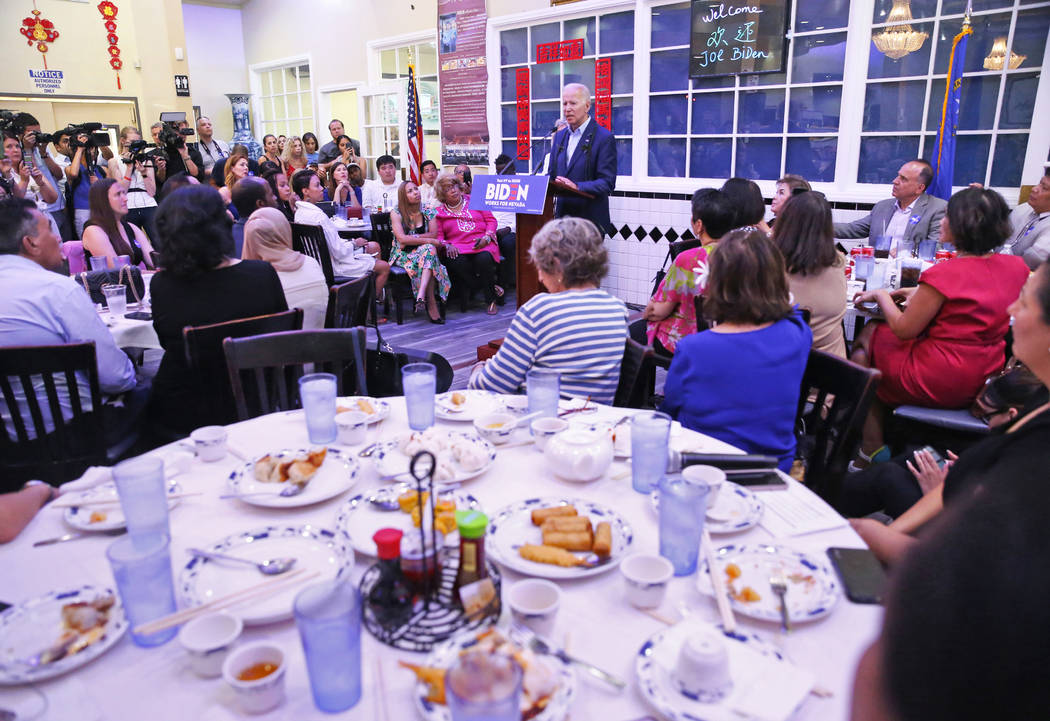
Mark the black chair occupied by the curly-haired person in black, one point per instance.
(205, 356)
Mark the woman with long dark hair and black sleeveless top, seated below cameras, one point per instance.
(108, 234)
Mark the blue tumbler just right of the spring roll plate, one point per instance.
(683, 507)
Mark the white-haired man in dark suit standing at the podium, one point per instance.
(584, 158)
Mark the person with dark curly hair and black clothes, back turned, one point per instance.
(200, 285)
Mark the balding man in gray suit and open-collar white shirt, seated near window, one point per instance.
(912, 215)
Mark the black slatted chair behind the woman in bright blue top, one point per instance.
(833, 404)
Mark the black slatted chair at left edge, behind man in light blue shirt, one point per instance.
(66, 452)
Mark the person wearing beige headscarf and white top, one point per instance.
(268, 237)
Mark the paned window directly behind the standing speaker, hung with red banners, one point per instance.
(605, 36)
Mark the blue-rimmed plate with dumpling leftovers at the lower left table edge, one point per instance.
(34, 626)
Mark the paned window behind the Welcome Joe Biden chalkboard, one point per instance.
(757, 126)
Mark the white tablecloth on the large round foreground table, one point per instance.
(595, 622)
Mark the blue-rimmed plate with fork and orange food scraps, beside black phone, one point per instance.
(813, 589)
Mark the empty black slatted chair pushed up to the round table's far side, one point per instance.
(265, 370)
